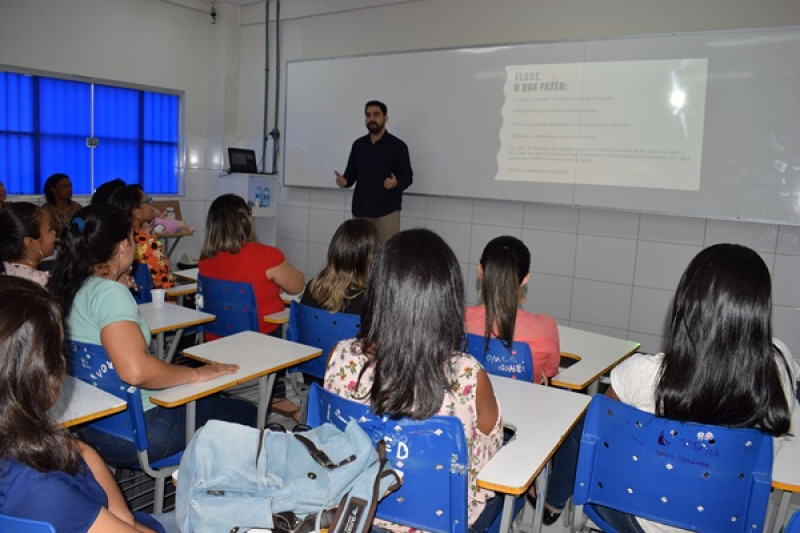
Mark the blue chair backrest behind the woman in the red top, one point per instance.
(232, 302)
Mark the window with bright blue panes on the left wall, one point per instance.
(92, 132)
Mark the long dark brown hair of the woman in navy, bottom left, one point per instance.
(32, 367)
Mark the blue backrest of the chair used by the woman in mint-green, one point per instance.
(90, 363)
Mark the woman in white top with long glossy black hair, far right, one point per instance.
(721, 365)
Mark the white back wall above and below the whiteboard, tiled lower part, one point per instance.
(606, 271)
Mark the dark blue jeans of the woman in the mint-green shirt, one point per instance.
(166, 430)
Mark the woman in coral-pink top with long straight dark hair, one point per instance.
(503, 272)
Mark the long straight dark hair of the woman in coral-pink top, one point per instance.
(505, 261)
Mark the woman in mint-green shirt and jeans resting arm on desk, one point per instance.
(96, 254)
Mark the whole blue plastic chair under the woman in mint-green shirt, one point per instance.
(90, 363)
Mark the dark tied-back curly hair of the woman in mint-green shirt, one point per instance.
(90, 240)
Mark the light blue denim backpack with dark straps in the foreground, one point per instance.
(234, 478)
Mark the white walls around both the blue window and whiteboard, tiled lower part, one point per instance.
(606, 271)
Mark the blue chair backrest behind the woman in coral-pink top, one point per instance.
(514, 363)
